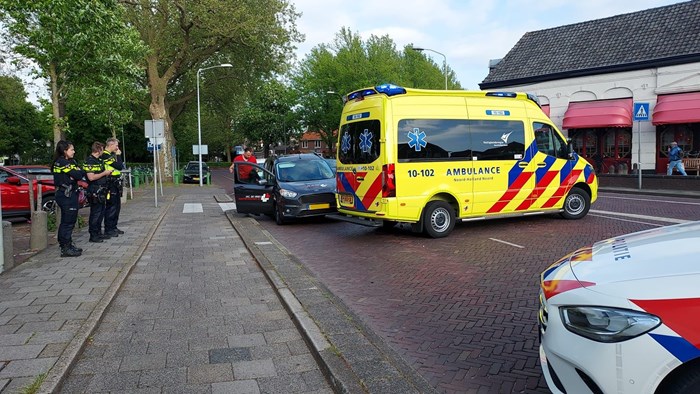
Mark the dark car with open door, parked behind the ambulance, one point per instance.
(288, 187)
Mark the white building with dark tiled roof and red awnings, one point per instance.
(587, 77)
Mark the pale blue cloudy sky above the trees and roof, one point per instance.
(468, 33)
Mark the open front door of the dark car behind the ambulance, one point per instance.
(255, 194)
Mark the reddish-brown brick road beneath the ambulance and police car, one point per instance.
(462, 310)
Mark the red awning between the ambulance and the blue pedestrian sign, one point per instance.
(600, 113)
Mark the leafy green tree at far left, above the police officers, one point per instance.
(85, 51)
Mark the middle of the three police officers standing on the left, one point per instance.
(97, 191)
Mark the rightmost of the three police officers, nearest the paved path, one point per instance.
(112, 161)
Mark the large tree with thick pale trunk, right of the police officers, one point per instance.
(254, 36)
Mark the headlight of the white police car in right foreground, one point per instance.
(605, 324)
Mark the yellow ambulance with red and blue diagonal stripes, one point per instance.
(432, 158)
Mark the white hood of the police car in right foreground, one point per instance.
(639, 263)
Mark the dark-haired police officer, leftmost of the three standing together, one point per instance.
(66, 174)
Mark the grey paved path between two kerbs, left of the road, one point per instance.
(196, 315)
